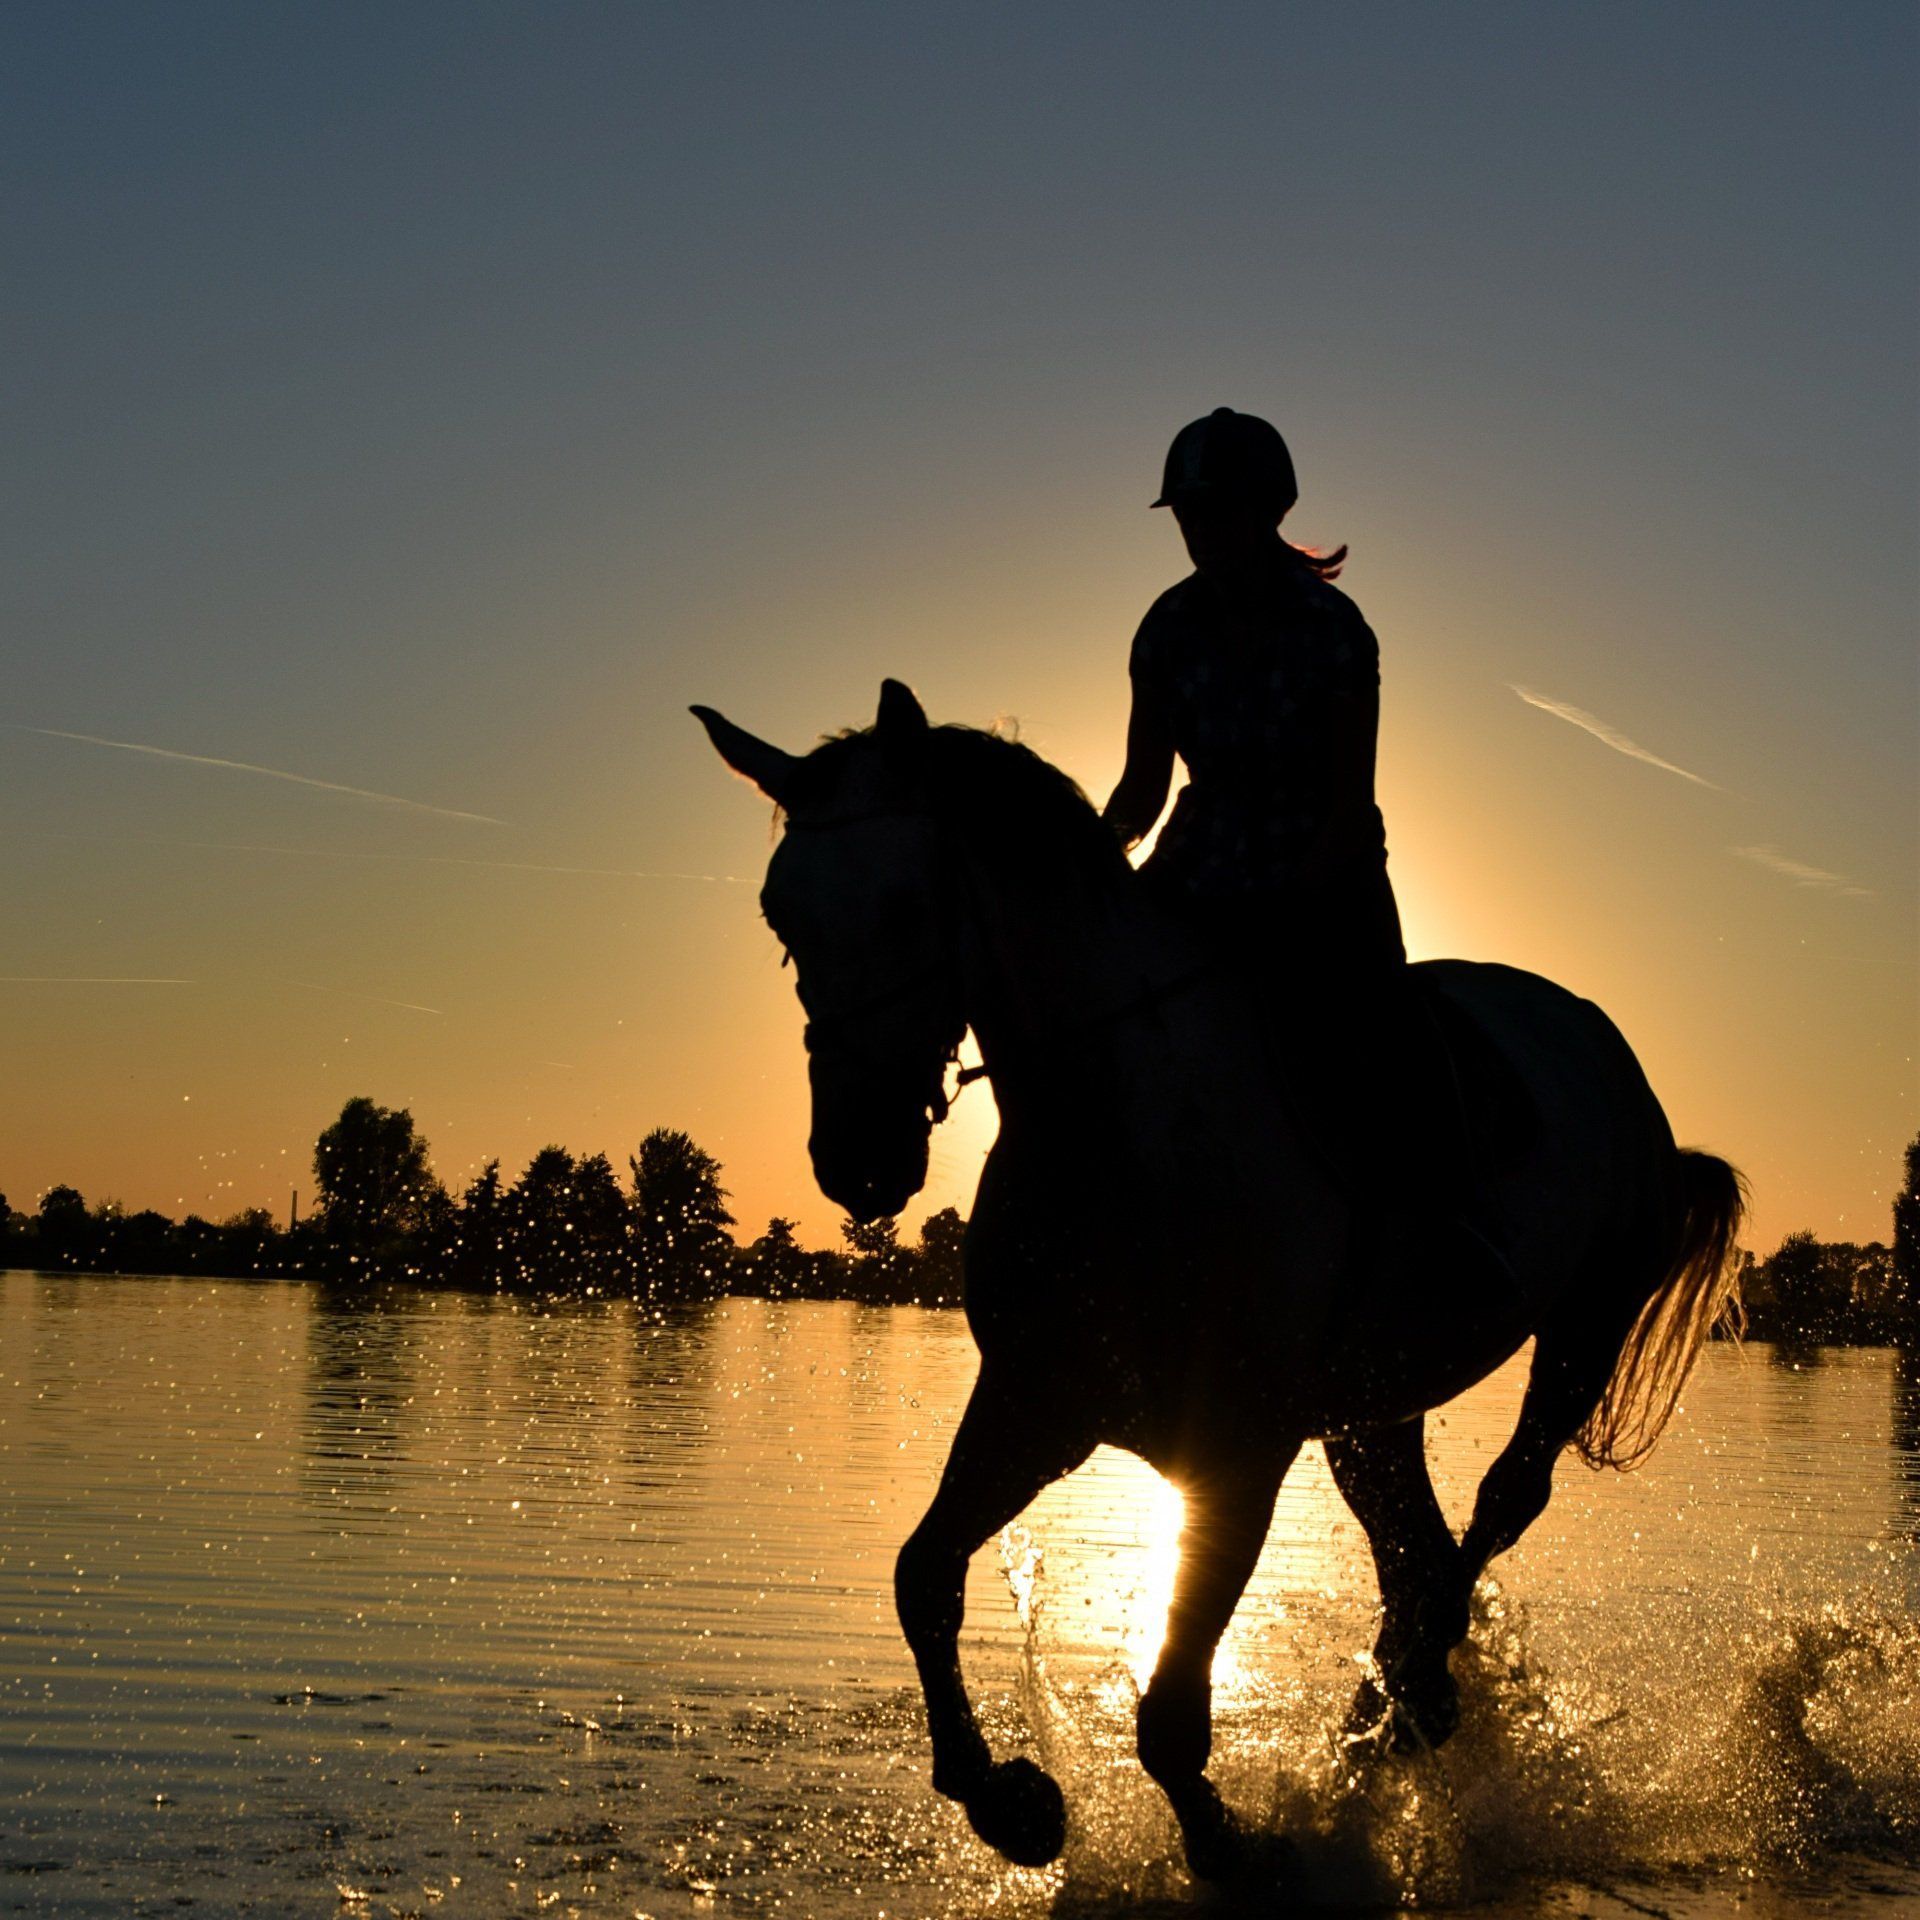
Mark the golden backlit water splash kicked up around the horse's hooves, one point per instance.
(1779, 1746)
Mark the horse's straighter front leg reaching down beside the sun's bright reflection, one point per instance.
(1228, 1518)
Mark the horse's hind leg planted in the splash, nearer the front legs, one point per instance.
(1381, 1472)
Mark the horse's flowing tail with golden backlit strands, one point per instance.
(1700, 1293)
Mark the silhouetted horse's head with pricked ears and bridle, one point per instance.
(855, 894)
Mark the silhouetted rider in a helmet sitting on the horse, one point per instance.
(1262, 677)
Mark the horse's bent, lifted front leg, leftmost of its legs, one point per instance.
(1003, 1456)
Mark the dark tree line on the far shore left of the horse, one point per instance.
(567, 1226)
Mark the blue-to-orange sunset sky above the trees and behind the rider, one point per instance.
(412, 410)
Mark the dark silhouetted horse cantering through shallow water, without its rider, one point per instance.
(1159, 1255)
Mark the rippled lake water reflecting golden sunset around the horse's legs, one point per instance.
(473, 1608)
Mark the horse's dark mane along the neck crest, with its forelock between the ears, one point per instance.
(996, 790)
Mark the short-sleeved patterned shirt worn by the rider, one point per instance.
(1249, 711)
